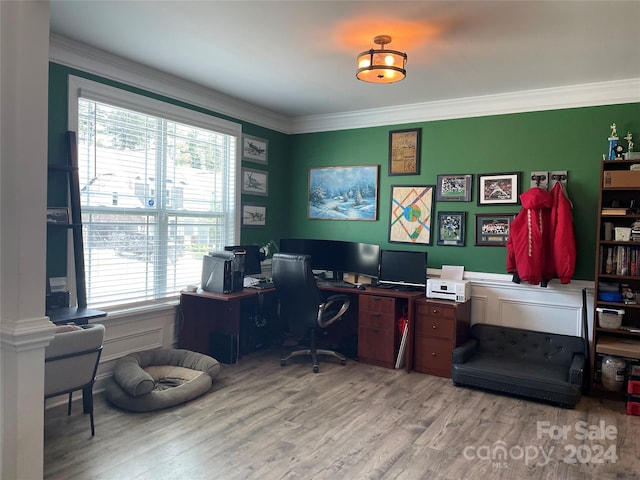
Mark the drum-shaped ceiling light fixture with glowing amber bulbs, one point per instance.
(381, 66)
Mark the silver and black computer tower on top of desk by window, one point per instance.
(223, 272)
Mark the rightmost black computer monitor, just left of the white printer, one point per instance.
(403, 268)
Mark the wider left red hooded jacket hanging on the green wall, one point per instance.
(529, 246)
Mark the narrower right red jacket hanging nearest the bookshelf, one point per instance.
(562, 234)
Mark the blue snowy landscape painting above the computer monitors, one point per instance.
(343, 193)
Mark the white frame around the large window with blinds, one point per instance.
(80, 87)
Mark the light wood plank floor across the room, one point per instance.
(263, 421)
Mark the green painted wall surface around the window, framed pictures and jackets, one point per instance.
(570, 139)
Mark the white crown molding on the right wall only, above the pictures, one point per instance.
(574, 96)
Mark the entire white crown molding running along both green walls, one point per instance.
(98, 62)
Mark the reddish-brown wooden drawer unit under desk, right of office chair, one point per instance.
(378, 337)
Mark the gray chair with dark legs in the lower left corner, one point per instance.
(71, 362)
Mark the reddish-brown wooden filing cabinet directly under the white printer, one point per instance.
(440, 326)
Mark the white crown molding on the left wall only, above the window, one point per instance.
(77, 55)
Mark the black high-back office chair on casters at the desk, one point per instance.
(301, 303)
